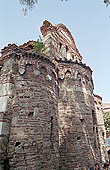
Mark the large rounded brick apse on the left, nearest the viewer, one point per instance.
(31, 122)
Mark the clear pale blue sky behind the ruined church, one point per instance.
(88, 21)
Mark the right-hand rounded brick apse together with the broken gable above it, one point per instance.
(78, 139)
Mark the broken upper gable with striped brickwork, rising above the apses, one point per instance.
(59, 42)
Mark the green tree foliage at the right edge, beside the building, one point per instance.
(107, 121)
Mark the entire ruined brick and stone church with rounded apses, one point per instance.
(50, 118)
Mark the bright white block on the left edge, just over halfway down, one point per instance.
(3, 103)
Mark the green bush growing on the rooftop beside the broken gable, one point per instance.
(39, 46)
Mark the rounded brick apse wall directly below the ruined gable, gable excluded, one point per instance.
(78, 144)
